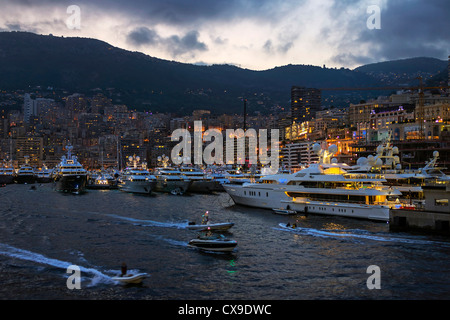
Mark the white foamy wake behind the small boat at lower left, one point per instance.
(12, 252)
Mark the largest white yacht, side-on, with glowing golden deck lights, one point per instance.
(319, 191)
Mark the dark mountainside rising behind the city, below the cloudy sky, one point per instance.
(142, 81)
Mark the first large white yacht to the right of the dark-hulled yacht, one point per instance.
(136, 178)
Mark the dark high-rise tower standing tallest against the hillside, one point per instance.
(305, 102)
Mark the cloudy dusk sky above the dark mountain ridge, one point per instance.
(254, 34)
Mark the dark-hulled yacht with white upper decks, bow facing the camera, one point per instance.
(69, 174)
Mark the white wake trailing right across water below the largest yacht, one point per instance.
(357, 234)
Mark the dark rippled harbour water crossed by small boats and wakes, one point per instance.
(42, 232)
